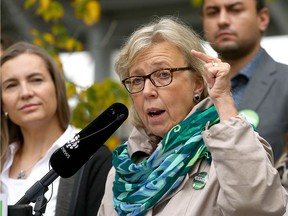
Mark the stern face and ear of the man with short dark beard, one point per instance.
(233, 27)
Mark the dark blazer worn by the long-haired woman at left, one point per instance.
(81, 194)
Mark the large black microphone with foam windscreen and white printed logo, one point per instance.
(68, 159)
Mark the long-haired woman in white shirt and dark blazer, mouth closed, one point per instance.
(34, 123)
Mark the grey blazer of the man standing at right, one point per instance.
(267, 94)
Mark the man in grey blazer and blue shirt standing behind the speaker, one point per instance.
(234, 29)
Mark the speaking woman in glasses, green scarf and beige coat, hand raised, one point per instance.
(188, 154)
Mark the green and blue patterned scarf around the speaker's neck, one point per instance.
(138, 187)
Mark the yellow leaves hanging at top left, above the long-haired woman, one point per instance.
(52, 11)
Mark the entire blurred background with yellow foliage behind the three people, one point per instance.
(84, 36)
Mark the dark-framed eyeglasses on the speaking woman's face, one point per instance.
(159, 78)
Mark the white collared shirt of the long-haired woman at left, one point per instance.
(16, 188)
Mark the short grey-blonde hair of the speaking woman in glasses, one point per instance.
(169, 29)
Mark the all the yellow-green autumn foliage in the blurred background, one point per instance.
(92, 101)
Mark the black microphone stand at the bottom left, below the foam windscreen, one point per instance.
(34, 194)
